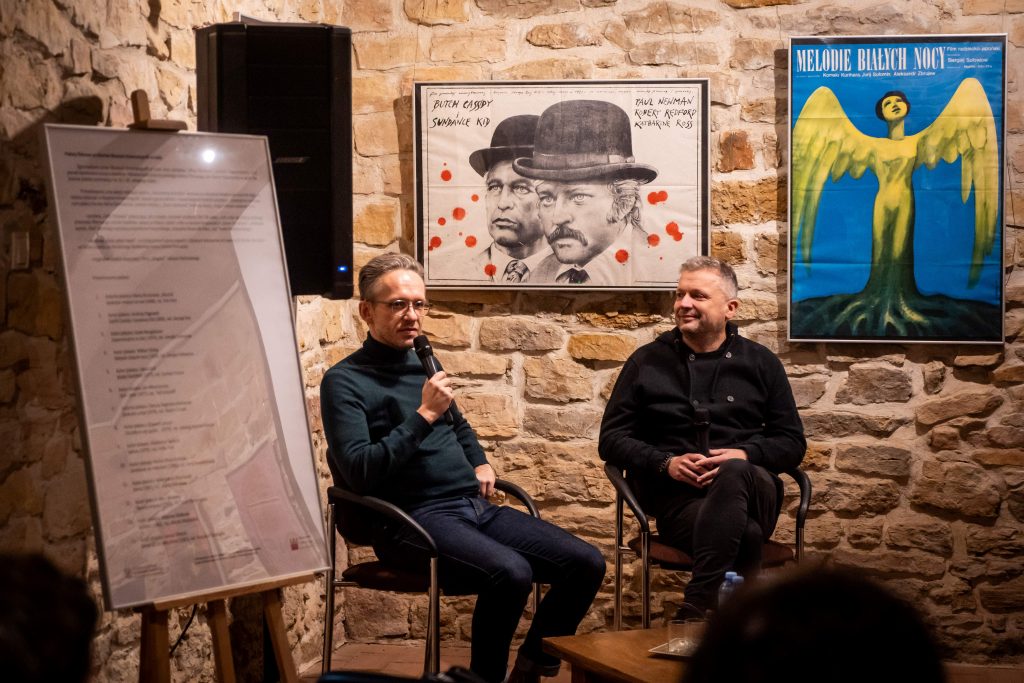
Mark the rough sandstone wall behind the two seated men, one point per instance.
(917, 453)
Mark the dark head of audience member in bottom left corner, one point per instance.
(48, 621)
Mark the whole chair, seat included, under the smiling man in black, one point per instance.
(650, 549)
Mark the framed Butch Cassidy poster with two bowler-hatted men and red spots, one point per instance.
(596, 185)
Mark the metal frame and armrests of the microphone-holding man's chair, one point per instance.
(432, 660)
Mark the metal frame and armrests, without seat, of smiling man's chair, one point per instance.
(625, 495)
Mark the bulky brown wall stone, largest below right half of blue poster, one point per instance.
(961, 488)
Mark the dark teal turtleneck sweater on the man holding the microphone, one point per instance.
(379, 445)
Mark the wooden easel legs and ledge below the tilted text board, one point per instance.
(155, 660)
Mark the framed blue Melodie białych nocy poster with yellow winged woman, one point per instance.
(897, 154)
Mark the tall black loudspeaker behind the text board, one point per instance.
(291, 82)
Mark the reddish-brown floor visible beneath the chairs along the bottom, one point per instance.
(406, 660)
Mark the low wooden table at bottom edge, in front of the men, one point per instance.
(619, 657)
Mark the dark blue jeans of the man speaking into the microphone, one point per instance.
(498, 553)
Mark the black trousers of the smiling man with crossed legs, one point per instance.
(722, 528)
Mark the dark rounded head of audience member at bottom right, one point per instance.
(819, 625)
